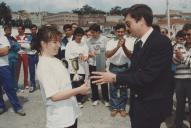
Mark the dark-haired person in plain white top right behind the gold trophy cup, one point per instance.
(77, 49)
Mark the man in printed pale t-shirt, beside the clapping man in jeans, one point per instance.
(95, 43)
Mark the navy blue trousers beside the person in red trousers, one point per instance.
(32, 61)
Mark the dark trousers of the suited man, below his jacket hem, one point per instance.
(147, 114)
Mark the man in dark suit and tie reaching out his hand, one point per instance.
(150, 76)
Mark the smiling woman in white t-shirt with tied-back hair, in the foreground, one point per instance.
(61, 106)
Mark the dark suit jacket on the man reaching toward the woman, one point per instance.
(150, 76)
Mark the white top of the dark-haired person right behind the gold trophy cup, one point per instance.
(73, 50)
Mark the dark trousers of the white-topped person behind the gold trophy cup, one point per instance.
(76, 84)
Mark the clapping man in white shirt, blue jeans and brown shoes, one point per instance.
(119, 51)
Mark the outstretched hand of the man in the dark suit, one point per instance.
(103, 77)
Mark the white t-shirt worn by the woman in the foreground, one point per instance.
(53, 78)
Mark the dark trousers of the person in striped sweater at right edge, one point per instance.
(183, 91)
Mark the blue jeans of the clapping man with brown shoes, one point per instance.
(118, 102)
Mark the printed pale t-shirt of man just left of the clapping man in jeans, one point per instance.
(95, 44)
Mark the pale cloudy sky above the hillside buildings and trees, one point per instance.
(158, 6)
